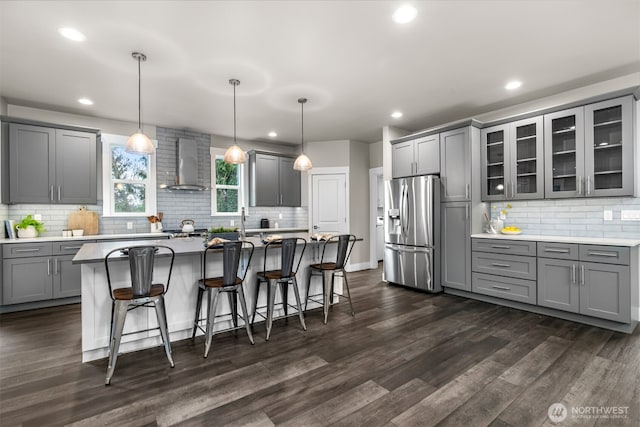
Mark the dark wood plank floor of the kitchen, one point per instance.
(406, 358)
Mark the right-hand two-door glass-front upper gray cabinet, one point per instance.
(589, 150)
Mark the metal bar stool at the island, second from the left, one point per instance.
(229, 283)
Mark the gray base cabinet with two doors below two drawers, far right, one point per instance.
(595, 289)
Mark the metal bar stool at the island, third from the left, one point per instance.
(285, 276)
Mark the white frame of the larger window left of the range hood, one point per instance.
(108, 209)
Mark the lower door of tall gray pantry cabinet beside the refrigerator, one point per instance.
(455, 259)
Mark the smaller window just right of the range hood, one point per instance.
(227, 191)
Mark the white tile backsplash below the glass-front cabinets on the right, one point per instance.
(571, 217)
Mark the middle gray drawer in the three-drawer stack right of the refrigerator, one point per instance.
(520, 267)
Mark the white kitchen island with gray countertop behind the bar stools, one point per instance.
(180, 299)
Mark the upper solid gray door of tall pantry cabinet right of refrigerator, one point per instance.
(455, 165)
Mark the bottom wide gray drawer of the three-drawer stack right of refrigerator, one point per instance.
(504, 287)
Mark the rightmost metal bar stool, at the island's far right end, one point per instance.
(345, 246)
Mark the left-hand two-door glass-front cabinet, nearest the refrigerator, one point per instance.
(512, 159)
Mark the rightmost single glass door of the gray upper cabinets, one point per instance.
(608, 161)
